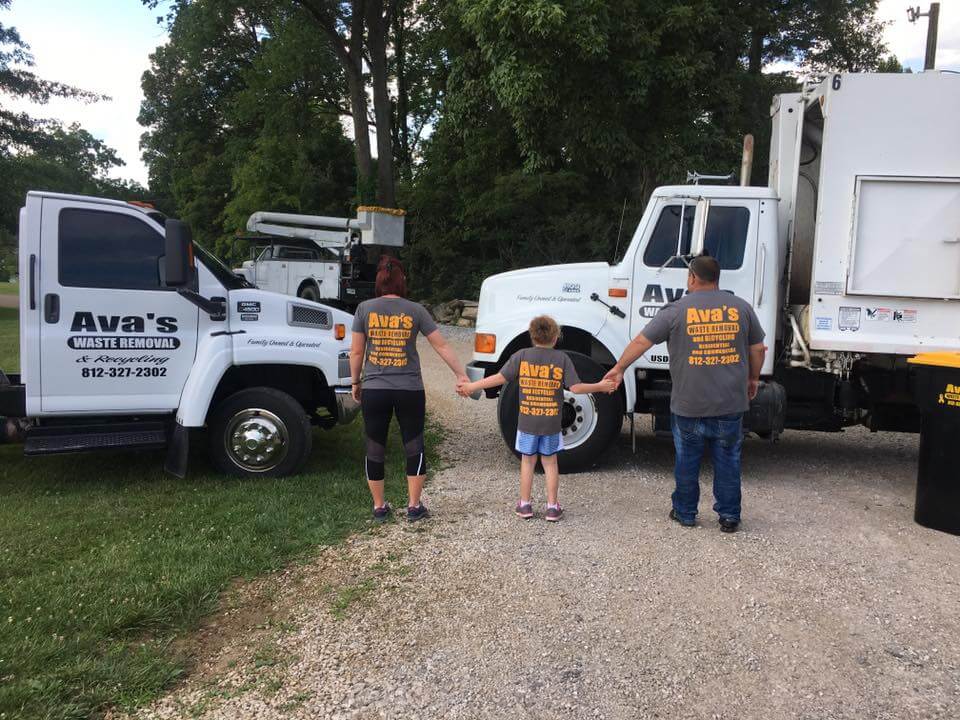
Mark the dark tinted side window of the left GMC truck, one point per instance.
(108, 250)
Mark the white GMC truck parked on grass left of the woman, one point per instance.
(131, 336)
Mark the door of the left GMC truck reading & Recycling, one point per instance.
(111, 338)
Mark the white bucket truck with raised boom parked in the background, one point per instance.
(317, 257)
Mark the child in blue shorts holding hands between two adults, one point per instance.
(543, 372)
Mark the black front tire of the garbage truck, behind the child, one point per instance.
(590, 422)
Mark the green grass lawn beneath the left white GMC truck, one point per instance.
(104, 559)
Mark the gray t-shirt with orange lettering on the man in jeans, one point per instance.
(708, 334)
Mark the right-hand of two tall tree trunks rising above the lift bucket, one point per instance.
(377, 48)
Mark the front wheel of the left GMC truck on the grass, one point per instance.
(259, 432)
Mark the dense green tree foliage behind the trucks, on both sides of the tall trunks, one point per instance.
(523, 129)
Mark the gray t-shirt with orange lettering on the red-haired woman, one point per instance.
(391, 326)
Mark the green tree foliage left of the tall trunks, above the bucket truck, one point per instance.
(238, 110)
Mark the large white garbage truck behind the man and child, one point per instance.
(850, 256)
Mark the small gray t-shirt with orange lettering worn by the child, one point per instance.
(543, 373)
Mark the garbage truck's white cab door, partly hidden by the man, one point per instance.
(729, 235)
